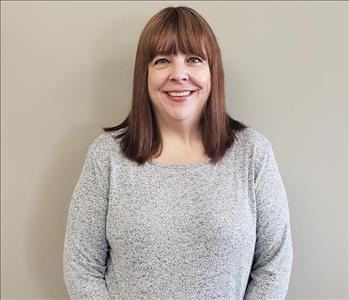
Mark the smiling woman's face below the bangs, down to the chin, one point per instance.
(189, 76)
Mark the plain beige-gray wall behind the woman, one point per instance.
(66, 72)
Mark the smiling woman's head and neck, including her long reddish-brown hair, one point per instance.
(177, 52)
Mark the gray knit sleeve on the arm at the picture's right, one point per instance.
(273, 256)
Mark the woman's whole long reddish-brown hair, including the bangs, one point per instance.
(172, 29)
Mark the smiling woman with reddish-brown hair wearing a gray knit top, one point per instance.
(179, 201)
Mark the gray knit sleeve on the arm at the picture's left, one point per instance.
(85, 246)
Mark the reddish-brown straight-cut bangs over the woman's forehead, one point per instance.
(177, 32)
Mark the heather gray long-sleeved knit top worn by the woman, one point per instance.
(198, 231)
